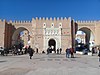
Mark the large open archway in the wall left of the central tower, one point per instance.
(18, 38)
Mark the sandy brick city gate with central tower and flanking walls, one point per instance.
(44, 32)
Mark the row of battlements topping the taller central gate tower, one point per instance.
(50, 18)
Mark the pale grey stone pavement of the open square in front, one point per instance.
(42, 64)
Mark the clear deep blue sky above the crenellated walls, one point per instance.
(27, 9)
